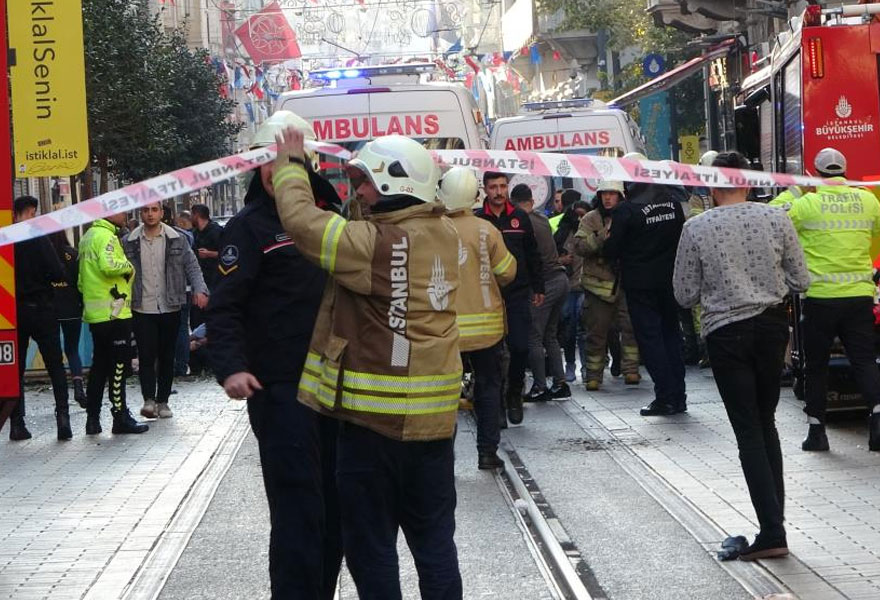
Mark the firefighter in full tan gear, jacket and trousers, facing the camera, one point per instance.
(604, 304)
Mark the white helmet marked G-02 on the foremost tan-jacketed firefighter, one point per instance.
(399, 165)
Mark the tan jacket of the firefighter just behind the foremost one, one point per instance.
(485, 264)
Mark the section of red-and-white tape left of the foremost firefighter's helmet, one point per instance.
(156, 189)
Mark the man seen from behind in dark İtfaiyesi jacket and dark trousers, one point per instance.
(644, 238)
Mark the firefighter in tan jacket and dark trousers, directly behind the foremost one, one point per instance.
(485, 266)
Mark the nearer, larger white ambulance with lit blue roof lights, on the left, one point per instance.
(355, 105)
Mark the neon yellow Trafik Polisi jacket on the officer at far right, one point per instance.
(835, 225)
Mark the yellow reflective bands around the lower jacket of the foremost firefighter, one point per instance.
(387, 394)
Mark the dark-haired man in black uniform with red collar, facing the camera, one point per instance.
(526, 289)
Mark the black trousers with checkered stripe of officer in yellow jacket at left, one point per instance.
(111, 358)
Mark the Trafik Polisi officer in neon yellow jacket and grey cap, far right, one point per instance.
(835, 225)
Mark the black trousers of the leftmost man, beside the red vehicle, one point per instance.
(37, 321)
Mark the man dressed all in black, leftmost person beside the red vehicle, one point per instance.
(36, 268)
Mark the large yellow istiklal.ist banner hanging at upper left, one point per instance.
(50, 129)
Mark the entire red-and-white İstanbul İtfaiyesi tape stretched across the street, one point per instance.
(544, 164)
